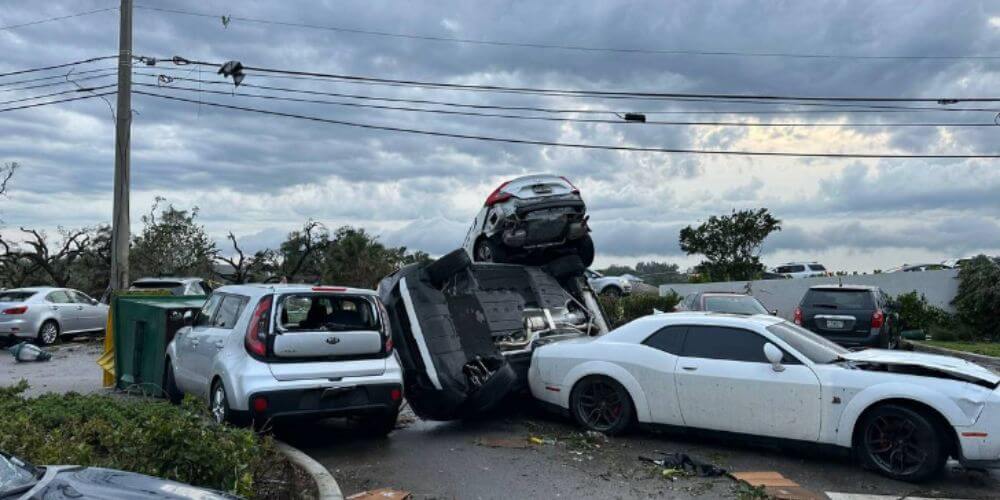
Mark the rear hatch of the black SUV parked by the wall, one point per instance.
(838, 311)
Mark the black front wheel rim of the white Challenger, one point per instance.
(895, 444)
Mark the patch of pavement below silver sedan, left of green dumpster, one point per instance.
(73, 367)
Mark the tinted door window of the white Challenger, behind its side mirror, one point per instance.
(717, 342)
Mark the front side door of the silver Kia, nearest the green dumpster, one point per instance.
(188, 367)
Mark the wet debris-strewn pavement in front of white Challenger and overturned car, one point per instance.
(495, 458)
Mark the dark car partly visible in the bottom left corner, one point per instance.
(20, 479)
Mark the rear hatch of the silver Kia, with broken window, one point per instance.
(322, 334)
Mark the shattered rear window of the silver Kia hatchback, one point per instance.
(327, 312)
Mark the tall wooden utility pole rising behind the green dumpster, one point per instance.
(120, 235)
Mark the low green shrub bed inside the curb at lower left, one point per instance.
(134, 434)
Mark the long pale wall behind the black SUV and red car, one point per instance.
(939, 287)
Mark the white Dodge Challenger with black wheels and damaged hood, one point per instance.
(903, 414)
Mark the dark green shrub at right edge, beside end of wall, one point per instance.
(978, 299)
